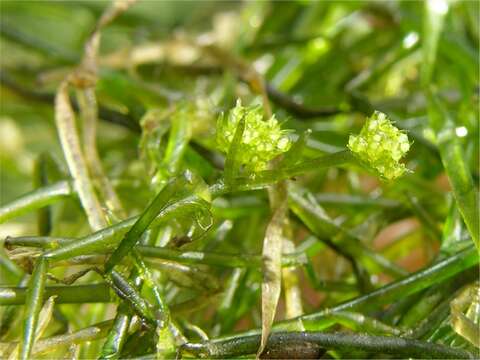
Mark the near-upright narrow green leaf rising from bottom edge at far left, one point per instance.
(33, 305)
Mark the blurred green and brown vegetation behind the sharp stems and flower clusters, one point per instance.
(326, 65)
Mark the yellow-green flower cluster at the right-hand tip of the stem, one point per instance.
(381, 145)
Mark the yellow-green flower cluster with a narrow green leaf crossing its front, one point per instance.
(262, 140)
